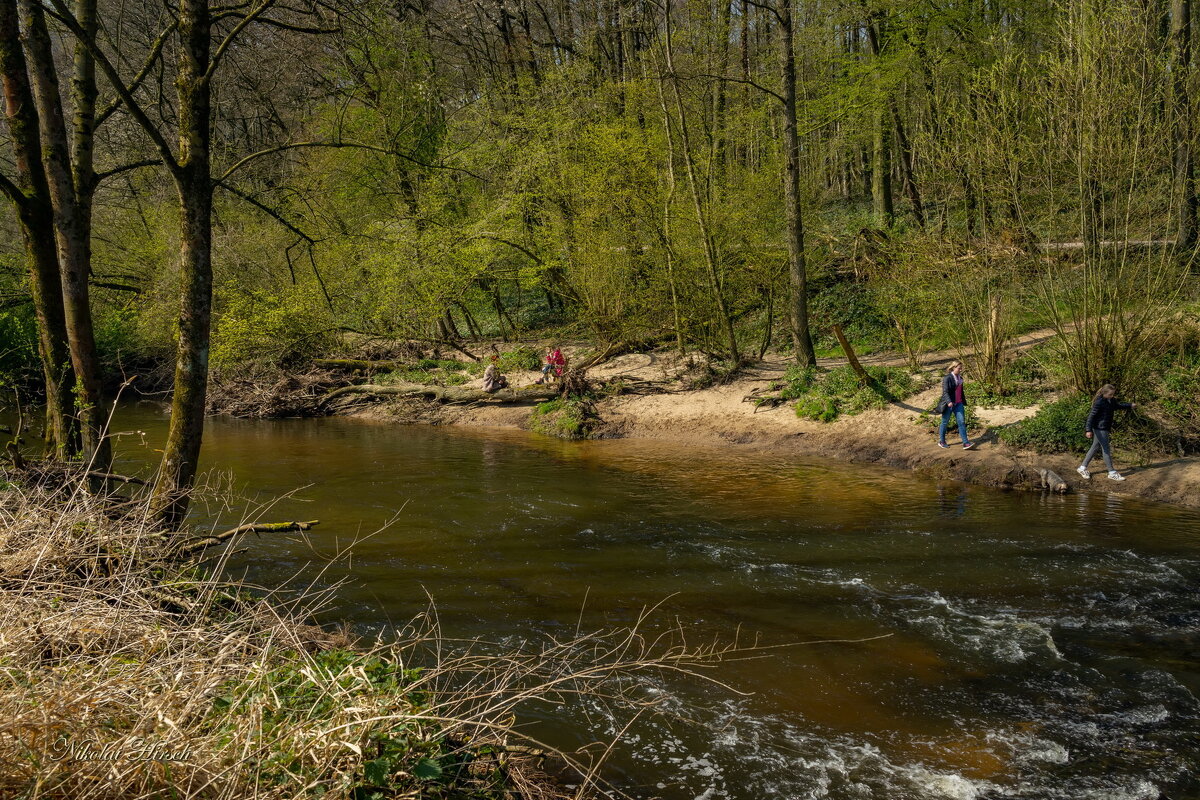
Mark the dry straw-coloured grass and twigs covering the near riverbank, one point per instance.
(128, 675)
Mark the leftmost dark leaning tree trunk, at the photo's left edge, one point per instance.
(32, 197)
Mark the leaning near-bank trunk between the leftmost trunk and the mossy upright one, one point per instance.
(73, 227)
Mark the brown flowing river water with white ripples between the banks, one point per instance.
(1036, 647)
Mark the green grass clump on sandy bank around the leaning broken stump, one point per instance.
(839, 393)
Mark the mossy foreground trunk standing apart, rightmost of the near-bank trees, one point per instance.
(194, 183)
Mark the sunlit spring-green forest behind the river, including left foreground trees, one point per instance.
(197, 191)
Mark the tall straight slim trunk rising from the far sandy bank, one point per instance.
(797, 269)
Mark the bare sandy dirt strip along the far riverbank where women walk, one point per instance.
(655, 406)
